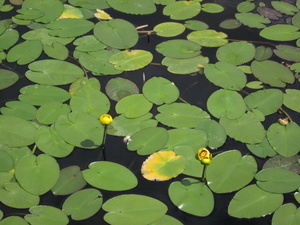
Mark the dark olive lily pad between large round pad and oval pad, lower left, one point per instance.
(70, 180)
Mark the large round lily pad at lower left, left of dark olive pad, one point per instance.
(37, 174)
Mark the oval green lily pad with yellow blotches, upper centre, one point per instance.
(131, 59)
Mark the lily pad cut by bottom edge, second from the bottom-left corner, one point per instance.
(46, 215)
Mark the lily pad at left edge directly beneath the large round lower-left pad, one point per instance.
(14, 196)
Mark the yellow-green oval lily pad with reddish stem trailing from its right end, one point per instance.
(208, 38)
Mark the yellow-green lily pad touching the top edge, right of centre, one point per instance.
(182, 10)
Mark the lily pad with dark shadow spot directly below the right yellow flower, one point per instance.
(192, 196)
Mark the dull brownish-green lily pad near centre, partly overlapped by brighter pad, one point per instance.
(118, 88)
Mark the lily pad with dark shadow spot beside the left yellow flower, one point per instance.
(80, 129)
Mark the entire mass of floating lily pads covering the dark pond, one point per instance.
(59, 112)
